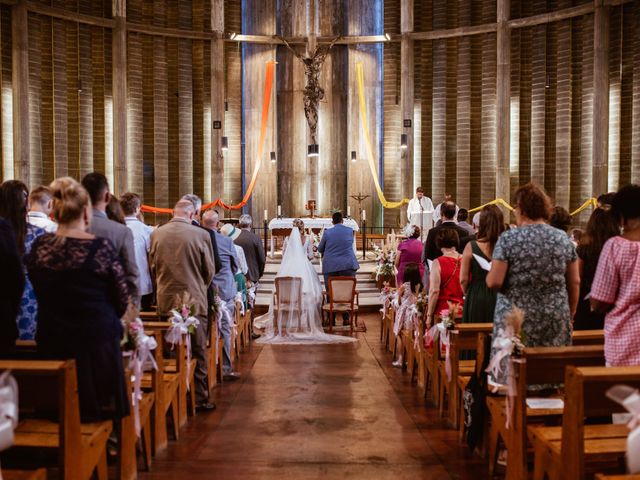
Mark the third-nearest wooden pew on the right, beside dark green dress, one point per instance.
(463, 338)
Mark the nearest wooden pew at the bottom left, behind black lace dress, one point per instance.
(81, 447)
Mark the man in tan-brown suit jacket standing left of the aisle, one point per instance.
(181, 260)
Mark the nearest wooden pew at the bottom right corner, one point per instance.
(564, 452)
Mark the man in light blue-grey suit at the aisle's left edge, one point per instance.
(224, 283)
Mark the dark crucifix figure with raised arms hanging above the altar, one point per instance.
(313, 92)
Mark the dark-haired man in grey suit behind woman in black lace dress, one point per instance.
(118, 234)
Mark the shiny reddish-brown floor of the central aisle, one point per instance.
(323, 411)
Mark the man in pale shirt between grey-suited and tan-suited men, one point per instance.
(131, 204)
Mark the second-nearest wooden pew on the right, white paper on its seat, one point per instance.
(541, 365)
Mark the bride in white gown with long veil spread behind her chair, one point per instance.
(303, 325)
